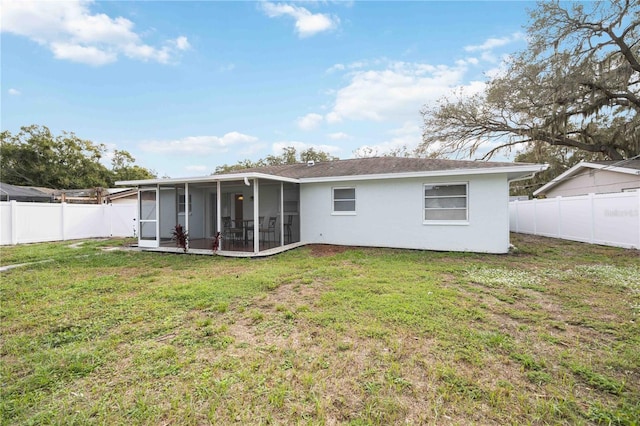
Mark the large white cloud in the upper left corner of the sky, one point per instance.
(72, 32)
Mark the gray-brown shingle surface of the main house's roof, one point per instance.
(371, 166)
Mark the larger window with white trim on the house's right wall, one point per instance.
(446, 202)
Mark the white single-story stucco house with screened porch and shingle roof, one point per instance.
(412, 203)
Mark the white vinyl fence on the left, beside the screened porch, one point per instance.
(38, 222)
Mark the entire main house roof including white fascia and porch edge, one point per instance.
(365, 168)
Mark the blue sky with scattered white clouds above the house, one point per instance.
(187, 86)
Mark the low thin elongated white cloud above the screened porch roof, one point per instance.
(200, 145)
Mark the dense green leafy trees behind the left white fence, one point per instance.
(35, 157)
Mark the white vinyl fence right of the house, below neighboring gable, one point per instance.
(607, 219)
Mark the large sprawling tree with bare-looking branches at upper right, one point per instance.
(577, 85)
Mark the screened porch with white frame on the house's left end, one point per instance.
(254, 213)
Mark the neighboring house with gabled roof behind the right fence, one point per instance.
(598, 177)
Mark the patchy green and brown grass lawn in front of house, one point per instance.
(321, 335)
